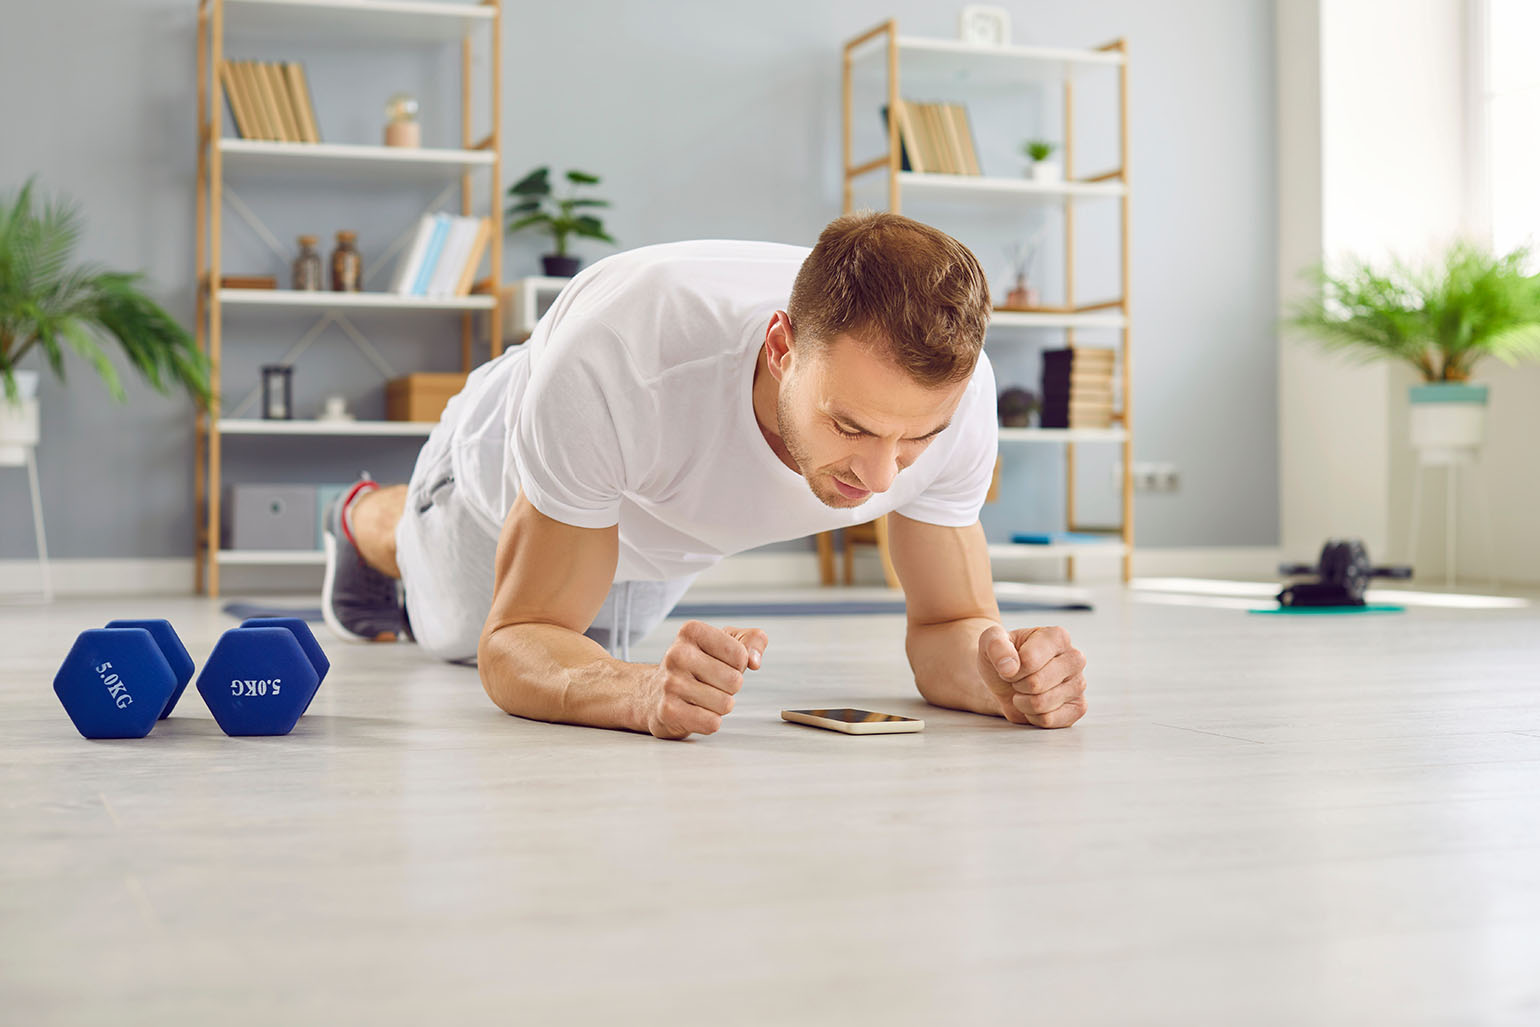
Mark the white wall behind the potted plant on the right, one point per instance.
(1374, 119)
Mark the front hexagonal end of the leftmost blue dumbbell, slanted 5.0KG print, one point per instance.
(115, 683)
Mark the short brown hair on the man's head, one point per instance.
(897, 284)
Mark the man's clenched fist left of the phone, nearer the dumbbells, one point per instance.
(694, 687)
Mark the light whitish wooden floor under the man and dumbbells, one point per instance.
(1262, 821)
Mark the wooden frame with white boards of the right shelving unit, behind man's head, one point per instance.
(885, 45)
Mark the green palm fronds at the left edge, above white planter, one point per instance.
(52, 304)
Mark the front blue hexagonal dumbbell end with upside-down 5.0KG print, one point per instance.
(258, 681)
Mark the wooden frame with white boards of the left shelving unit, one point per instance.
(343, 24)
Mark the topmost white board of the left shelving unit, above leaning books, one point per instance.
(357, 21)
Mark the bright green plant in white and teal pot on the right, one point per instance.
(1441, 318)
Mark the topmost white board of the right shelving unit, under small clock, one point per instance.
(957, 62)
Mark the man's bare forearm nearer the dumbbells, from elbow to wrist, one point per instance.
(549, 674)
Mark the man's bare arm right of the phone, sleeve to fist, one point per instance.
(962, 655)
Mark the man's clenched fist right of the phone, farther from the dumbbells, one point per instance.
(1034, 674)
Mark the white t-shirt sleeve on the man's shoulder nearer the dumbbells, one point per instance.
(571, 435)
